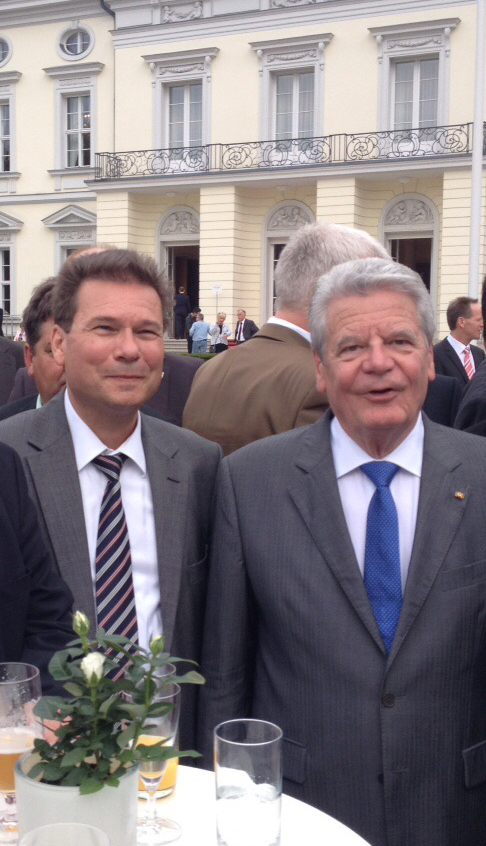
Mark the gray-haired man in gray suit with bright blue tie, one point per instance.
(351, 611)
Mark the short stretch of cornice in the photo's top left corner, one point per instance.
(32, 12)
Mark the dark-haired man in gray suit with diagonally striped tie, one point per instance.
(110, 310)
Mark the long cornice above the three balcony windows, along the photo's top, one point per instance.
(321, 12)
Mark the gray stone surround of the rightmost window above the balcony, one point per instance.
(425, 39)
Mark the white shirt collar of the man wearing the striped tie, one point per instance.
(87, 445)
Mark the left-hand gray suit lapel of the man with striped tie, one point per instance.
(56, 482)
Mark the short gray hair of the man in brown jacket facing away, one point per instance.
(314, 250)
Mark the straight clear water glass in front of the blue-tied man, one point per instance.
(248, 768)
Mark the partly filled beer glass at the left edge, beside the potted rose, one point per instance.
(20, 689)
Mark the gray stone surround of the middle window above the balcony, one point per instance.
(290, 55)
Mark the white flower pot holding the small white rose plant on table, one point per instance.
(112, 809)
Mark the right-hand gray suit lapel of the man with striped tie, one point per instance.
(169, 485)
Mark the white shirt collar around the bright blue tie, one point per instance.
(348, 456)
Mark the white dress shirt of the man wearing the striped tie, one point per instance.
(139, 513)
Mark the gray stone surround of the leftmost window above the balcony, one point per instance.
(184, 68)
